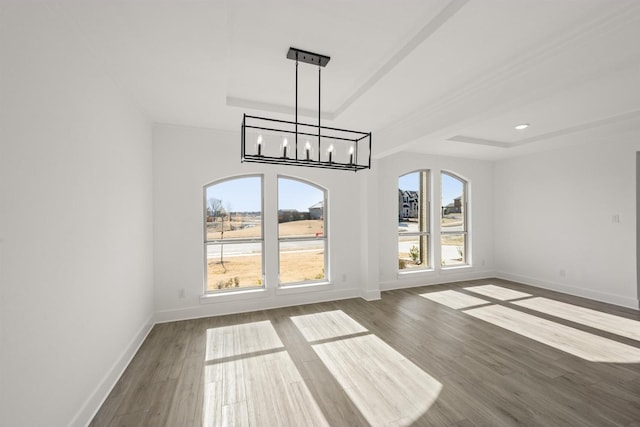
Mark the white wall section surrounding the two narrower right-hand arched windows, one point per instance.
(479, 175)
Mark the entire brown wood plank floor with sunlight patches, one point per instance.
(479, 353)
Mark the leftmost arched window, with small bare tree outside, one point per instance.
(233, 234)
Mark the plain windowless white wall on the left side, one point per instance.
(75, 232)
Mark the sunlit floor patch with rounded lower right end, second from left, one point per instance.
(387, 388)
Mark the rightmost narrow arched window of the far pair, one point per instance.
(453, 220)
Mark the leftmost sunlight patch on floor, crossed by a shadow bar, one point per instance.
(251, 380)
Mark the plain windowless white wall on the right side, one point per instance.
(554, 218)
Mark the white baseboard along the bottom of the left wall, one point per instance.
(95, 400)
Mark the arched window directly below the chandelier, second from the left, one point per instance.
(302, 232)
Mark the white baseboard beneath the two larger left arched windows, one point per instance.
(244, 306)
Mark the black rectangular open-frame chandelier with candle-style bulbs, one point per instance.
(282, 142)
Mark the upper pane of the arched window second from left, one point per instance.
(300, 209)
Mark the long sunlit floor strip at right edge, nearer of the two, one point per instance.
(573, 341)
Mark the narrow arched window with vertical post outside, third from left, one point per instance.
(413, 221)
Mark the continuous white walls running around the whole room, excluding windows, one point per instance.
(77, 247)
